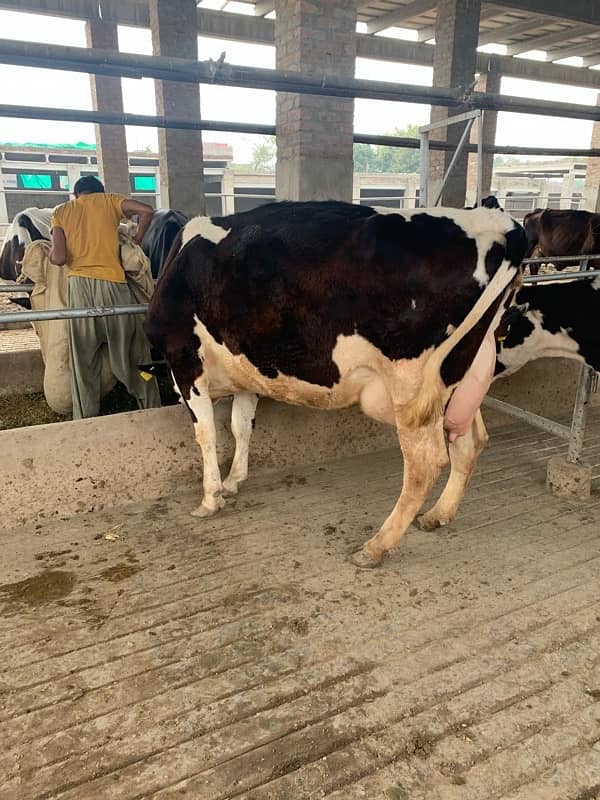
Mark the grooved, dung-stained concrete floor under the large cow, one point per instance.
(146, 653)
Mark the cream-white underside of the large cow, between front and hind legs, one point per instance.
(366, 376)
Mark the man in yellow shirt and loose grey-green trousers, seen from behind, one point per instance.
(85, 236)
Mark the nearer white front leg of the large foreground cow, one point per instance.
(206, 435)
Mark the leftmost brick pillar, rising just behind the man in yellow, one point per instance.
(107, 95)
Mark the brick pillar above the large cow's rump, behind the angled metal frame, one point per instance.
(454, 61)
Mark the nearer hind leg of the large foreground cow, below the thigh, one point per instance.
(425, 455)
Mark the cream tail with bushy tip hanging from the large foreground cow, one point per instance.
(428, 405)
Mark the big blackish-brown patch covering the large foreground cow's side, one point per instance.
(282, 290)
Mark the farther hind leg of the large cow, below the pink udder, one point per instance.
(464, 453)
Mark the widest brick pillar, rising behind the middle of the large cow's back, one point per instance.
(314, 134)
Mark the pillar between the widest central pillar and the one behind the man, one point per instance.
(174, 27)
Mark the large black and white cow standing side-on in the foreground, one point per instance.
(330, 305)
